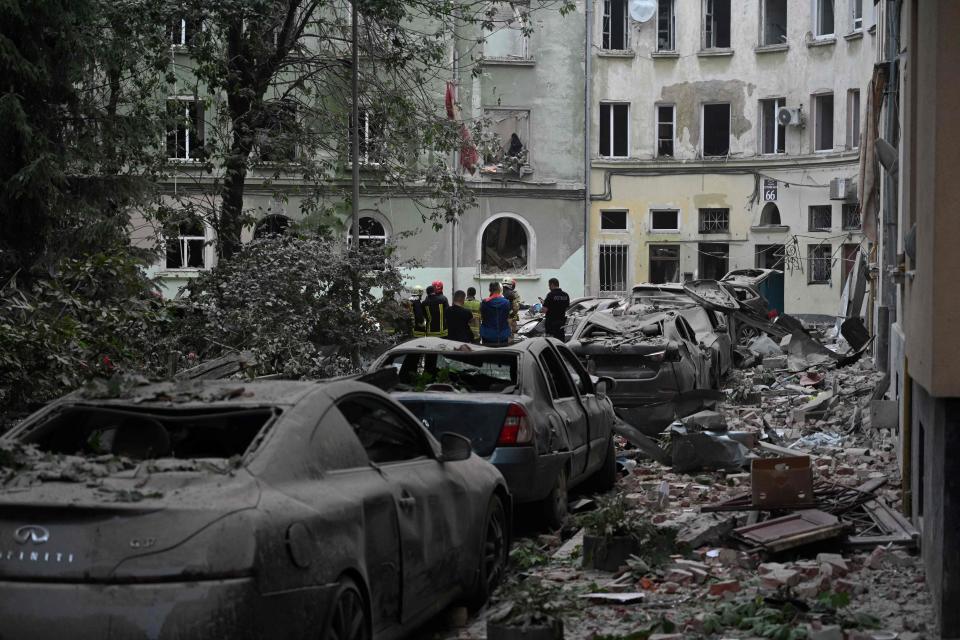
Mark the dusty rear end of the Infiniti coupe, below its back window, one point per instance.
(75, 519)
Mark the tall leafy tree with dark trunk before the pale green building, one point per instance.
(281, 69)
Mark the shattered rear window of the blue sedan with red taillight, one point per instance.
(455, 371)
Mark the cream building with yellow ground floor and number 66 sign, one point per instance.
(725, 136)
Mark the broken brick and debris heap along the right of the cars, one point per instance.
(783, 503)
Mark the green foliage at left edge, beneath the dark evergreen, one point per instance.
(92, 317)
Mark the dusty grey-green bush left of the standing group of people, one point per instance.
(288, 301)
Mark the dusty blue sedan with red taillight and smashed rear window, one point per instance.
(531, 409)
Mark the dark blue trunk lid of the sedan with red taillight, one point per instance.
(477, 416)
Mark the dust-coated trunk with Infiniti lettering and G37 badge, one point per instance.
(97, 529)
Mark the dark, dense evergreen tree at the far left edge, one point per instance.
(76, 125)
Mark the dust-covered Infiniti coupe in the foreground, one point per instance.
(250, 510)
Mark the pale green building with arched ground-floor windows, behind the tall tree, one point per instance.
(528, 222)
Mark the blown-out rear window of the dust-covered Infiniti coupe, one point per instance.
(134, 433)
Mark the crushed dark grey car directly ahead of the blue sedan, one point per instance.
(660, 369)
